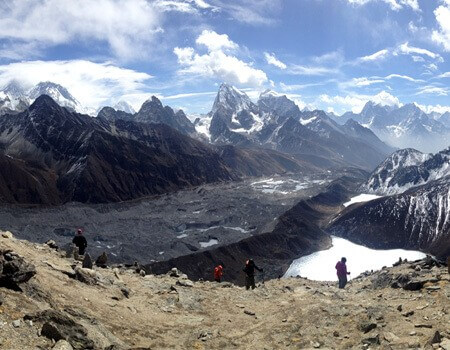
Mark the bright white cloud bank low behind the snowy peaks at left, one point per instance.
(93, 84)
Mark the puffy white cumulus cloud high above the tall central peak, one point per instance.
(218, 64)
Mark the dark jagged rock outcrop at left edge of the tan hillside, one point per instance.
(14, 270)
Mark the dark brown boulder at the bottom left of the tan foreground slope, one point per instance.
(59, 326)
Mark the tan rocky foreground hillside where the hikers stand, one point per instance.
(48, 301)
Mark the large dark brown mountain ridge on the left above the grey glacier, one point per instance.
(62, 156)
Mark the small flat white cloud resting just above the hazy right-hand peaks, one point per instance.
(356, 102)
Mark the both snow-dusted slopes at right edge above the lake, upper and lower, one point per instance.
(414, 210)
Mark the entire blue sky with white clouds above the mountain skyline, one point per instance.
(329, 54)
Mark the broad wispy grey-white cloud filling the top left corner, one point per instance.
(126, 26)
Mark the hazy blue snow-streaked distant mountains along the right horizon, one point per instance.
(404, 126)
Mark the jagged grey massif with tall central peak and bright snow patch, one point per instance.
(276, 122)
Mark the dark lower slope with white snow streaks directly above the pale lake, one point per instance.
(416, 219)
